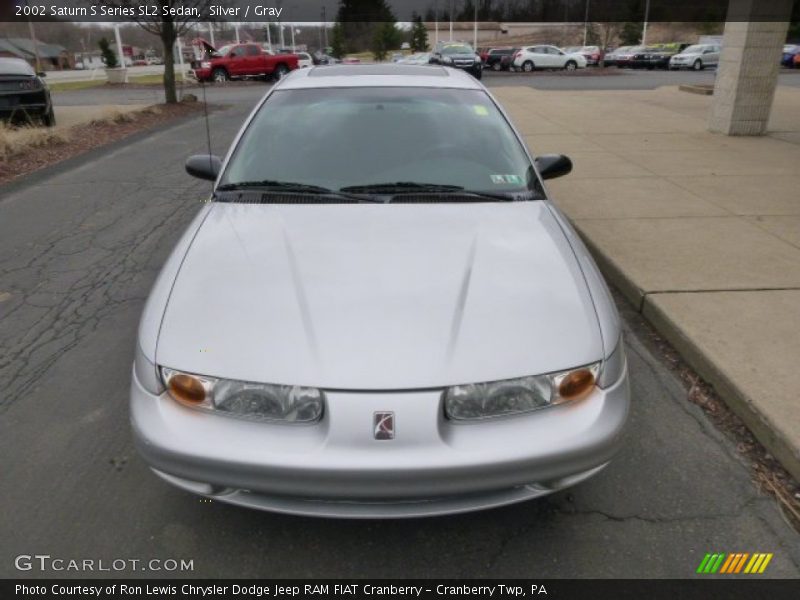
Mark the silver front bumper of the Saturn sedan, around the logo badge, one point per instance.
(336, 468)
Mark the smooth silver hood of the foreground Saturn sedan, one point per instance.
(379, 296)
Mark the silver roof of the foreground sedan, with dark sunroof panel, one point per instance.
(378, 75)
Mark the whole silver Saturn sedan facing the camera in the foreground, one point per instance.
(380, 313)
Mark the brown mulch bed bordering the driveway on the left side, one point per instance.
(91, 135)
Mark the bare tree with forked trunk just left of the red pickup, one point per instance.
(168, 25)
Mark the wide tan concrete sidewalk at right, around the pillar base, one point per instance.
(700, 231)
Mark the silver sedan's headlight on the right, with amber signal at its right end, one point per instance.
(514, 396)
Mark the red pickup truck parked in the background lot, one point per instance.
(242, 60)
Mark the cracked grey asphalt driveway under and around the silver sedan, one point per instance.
(80, 245)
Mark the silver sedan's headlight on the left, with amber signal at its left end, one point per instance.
(289, 403)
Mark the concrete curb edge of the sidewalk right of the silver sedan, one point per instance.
(741, 403)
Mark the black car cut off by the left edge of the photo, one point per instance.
(24, 96)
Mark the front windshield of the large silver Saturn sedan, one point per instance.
(337, 138)
